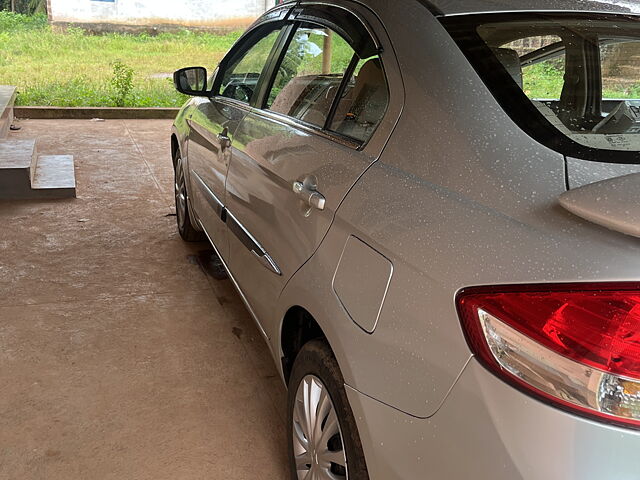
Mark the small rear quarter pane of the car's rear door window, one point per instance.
(364, 102)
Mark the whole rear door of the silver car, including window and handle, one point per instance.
(323, 116)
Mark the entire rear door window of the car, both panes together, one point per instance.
(311, 76)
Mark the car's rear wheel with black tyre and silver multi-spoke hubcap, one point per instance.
(316, 386)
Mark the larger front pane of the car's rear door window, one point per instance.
(310, 74)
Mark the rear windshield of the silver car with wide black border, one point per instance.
(573, 82)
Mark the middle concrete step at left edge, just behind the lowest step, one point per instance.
(17, 162)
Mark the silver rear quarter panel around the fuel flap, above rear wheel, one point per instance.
(451, 210)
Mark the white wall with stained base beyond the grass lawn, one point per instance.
(146, 12)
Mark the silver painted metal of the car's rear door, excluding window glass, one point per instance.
(271, 153)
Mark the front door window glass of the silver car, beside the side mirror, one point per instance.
(241, 77)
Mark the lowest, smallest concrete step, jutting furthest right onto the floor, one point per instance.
(54, 177)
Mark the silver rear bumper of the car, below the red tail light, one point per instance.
(486, 429)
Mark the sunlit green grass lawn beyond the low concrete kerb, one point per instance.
(73, 68)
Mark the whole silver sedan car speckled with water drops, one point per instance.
(432, 210)
